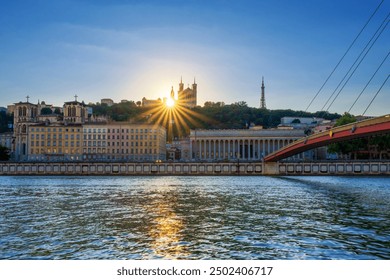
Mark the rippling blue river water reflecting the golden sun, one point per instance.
(194, 217)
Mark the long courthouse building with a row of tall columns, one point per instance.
(243, 144)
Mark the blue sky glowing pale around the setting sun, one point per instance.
(52, 50)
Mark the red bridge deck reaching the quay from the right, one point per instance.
(360, 129)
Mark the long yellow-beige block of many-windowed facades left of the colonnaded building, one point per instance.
(96, 142)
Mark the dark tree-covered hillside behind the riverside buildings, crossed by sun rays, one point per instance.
(213, 115)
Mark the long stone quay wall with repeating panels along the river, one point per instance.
(198, 168)
